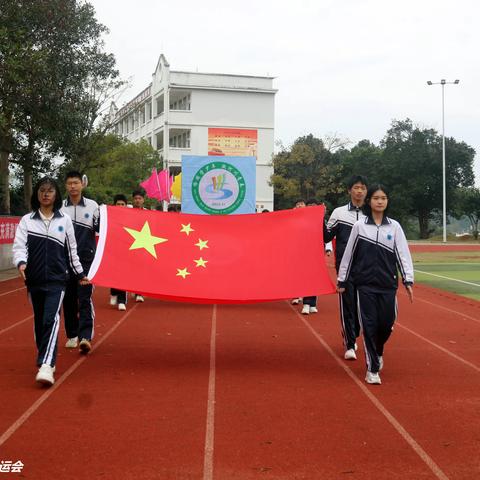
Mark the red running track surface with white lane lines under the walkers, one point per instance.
(266, 396)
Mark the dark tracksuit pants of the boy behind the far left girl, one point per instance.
(78, 310)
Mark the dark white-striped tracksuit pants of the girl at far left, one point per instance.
(46, 303)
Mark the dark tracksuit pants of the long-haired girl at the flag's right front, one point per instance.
(377, 312)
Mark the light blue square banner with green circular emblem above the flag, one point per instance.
(218, 186)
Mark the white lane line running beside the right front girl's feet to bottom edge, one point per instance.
(437, 471)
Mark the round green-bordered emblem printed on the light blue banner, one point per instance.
(218, 188)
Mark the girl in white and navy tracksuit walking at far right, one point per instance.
(376, 250)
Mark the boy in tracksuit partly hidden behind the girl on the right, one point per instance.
(339, 226)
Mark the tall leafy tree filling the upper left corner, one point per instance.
(52, 66)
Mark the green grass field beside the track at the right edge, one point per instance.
(457, 272)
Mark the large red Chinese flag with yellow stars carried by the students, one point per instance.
(212, 258)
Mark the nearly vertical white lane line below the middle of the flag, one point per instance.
(209, 436)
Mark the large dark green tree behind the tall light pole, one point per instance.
(412, 169)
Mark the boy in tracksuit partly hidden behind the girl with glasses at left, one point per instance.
(78, 306)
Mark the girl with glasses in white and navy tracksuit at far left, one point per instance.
(43, 249)
